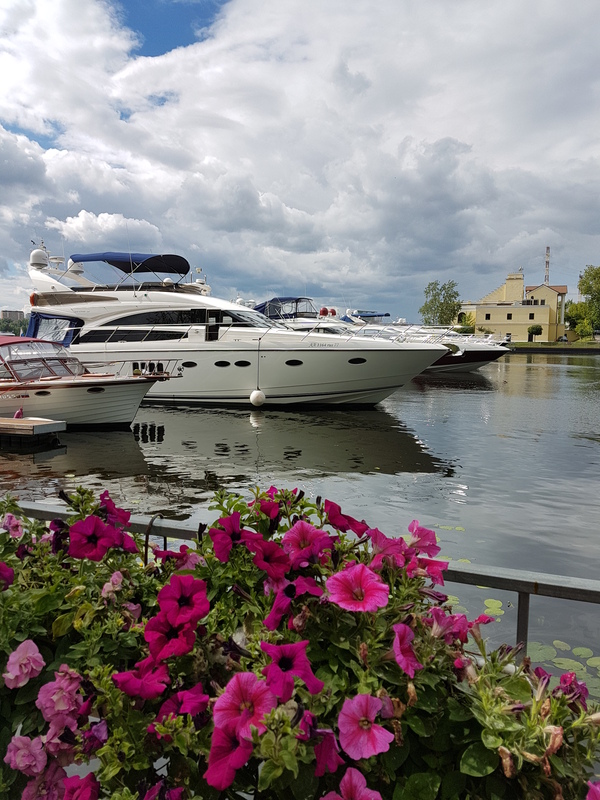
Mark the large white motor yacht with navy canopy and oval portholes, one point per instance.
(139, 308)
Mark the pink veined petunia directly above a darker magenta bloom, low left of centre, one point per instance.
(244, 702)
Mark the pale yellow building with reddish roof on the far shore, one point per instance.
(513, 307)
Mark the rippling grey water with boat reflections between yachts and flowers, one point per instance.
(503, 464)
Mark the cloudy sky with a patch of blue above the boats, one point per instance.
(351, 152)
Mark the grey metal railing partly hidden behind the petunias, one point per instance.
(523, 583)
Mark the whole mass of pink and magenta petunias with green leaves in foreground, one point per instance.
(292, 651)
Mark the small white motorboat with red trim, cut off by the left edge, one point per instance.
(42, 379)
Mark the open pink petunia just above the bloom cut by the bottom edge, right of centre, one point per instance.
(360, 736)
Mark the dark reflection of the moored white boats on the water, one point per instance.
(174, 459)
